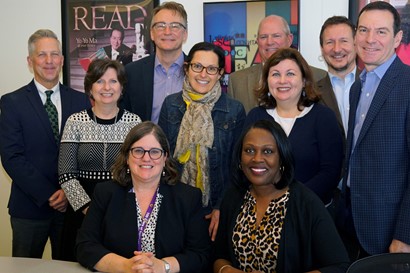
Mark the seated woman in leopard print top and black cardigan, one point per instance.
(269, 222)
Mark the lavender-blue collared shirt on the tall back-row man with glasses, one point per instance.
(166, 83)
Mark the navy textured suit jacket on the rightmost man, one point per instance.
(380, 162)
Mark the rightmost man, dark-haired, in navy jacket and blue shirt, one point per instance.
(376, 186)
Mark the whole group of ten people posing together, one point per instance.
(155, 169)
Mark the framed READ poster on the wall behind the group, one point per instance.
(115, 29)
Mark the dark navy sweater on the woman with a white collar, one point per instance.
(317, 147)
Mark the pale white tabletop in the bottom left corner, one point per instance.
(29, 265)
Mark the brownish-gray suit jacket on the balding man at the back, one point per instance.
(242, 84)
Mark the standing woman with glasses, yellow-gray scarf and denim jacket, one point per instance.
(202, 125)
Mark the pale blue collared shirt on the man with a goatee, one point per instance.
(341, 89)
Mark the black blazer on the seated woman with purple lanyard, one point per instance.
(110, 226)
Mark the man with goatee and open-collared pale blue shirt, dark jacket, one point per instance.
(338, 51)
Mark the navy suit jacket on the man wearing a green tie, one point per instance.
(29, 152)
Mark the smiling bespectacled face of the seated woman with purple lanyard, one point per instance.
(145, 169)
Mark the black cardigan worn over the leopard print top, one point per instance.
(309, 239)
